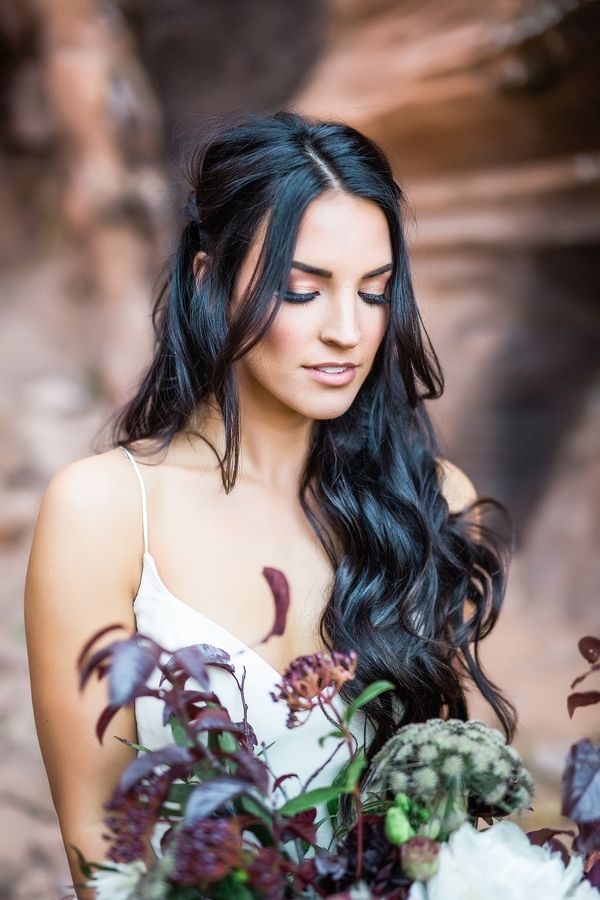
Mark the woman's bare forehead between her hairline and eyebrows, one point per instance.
(341, 229)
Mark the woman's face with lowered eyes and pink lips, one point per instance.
(342, 261)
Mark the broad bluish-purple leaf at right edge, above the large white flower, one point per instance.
(581, 782)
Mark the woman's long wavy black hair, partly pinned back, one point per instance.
(416, 587)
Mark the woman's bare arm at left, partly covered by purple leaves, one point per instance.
(78, 581)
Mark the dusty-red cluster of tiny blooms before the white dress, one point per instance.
(312, 679)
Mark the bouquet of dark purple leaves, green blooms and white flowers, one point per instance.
(404, 826)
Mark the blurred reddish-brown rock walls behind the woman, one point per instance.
(489, 112)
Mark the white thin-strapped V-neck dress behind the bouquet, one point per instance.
(174, 624)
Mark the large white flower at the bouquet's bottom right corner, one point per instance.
(501, 864)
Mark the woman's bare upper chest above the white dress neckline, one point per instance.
(210, 551)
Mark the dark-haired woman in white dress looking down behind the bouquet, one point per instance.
(281, 422)
